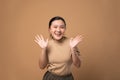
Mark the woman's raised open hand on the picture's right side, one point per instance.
(75, 41)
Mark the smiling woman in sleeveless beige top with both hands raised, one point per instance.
(59, 52)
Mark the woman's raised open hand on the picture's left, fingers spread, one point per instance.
(40, 41)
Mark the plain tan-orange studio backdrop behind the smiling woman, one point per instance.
(97, 20)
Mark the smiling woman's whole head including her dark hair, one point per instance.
(57, 27)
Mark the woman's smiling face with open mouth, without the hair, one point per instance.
(57, 29)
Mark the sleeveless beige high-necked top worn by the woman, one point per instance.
(59, 56)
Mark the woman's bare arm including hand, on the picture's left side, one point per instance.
(43, 61)
